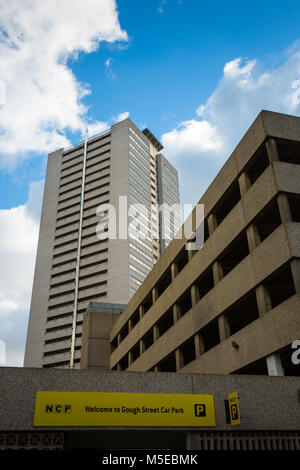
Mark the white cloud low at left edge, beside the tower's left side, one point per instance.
(18, 241)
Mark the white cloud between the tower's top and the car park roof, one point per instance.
(198, 147)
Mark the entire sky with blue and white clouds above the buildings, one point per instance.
(196, 73)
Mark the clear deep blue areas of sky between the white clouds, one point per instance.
(171, 63)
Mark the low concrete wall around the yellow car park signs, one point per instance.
(266, 403)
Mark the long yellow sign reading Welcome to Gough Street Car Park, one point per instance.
(123, 409)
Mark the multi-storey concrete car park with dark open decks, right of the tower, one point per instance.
(231, 307)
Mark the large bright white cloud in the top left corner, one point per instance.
(43, 98)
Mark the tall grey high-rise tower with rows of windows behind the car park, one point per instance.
(75, 264)
